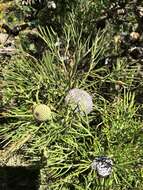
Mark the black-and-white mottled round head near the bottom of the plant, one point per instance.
(103, 166)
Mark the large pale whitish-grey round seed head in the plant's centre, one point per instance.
(80, 101)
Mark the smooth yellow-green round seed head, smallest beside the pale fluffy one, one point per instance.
(42, 112)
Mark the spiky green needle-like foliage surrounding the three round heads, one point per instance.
(69, 142)
